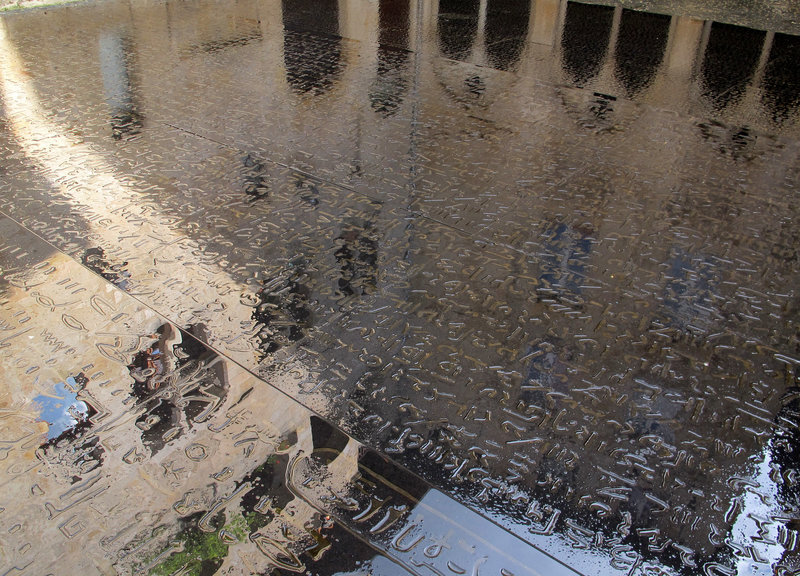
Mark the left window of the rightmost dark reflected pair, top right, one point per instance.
(729, 62)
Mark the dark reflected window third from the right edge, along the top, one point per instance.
(640, 49)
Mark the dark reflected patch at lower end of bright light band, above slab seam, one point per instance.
(282, 310)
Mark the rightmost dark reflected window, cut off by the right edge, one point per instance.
(781, 83)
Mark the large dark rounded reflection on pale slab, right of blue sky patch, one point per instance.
(175, 386)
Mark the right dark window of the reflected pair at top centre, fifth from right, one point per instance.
(506, 31)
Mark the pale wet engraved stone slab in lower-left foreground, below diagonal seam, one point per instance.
(157, 455)
